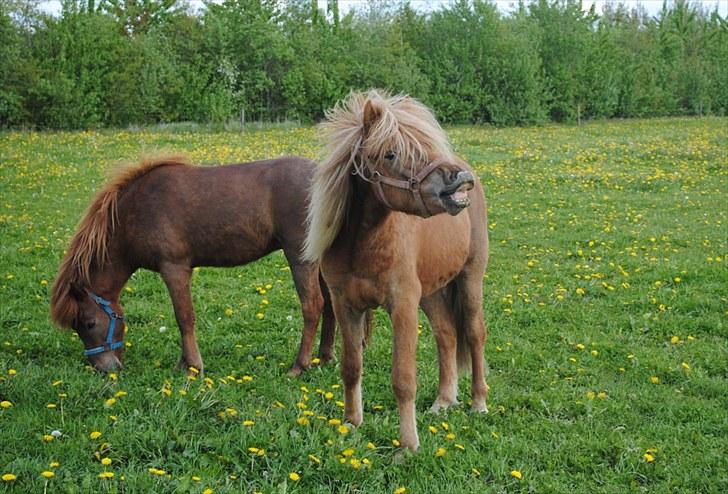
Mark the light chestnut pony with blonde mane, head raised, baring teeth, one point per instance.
(376, 226)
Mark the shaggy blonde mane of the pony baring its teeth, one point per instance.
(403, 126)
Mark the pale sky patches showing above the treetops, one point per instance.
(651, 6)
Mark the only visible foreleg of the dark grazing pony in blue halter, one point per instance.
(177, 279)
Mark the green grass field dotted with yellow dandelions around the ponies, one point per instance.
(606, 301)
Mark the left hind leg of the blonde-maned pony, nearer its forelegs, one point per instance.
(442, 320)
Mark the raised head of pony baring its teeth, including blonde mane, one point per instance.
(394, 144)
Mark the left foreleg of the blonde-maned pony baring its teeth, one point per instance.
(352, 323)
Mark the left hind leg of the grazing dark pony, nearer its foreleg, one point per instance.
(306, 279)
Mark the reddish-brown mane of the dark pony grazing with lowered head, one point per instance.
(89, 245)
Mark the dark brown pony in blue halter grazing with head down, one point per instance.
(168, 216)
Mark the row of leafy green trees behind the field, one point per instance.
(122, 62)
